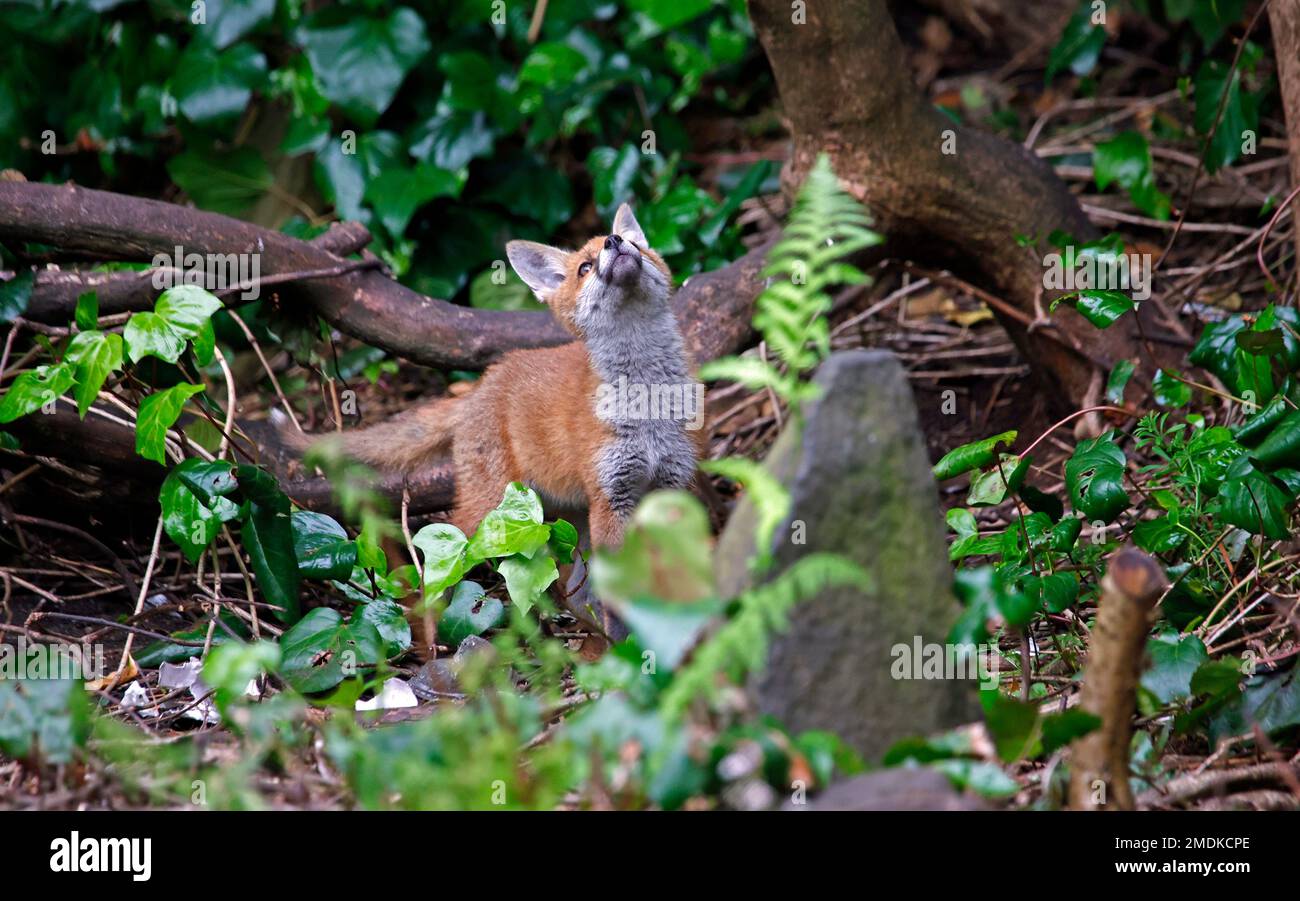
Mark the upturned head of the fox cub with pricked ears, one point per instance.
(610, 278)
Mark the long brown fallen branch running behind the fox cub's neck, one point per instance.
(714, 309)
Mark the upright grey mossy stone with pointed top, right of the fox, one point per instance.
(861, 486)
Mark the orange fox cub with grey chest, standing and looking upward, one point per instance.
(597, 423)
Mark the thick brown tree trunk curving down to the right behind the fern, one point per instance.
(939, 190)
